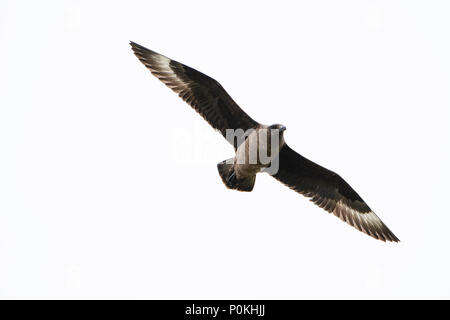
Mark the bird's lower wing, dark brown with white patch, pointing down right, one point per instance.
(330, 192)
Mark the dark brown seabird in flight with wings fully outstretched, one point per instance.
(324, 187)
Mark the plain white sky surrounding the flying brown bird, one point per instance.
(108, 181)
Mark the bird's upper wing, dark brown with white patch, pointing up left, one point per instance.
(203, 93)
